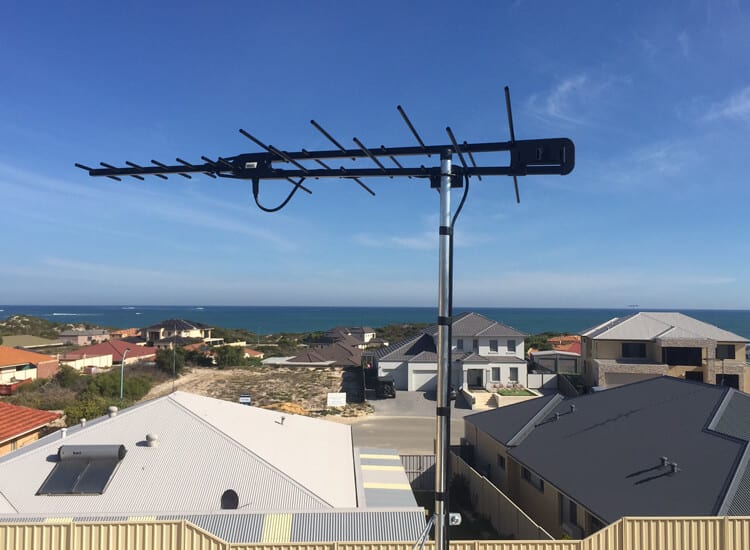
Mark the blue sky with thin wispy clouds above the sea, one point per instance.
(656, 97)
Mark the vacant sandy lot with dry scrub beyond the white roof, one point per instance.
(297, 390)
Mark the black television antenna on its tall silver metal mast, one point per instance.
(527, 157)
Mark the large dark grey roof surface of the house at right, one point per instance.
(607, 452)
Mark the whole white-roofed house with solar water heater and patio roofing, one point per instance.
(243, 473)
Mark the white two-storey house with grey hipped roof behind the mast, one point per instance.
(484, 353)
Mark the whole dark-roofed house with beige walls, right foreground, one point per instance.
(659, 447)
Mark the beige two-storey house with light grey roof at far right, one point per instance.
(649, 344)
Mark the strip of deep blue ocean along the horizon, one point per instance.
(278, 319)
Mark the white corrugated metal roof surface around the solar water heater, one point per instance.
(206, 446)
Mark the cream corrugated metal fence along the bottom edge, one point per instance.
(695, 533)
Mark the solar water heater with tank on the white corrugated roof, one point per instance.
(82, 469)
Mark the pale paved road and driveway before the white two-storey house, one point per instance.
(406, 423)
